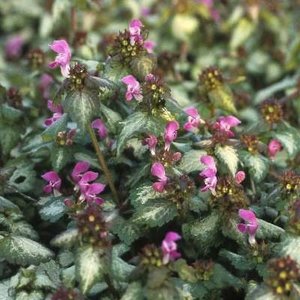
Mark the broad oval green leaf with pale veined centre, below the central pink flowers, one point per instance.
(155, 213)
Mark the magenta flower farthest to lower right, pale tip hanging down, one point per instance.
(250, 224)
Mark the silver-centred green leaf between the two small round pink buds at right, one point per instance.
(258, 165)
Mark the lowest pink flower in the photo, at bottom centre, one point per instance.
(169, 247)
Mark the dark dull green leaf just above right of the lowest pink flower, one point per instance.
(203, 232)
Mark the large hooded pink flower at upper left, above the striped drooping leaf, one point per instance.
(62, 60)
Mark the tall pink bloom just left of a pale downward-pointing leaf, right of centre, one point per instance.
(209, 173)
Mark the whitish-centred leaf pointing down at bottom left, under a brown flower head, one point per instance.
(90, 267)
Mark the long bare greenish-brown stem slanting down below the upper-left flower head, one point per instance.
(102, 163)
